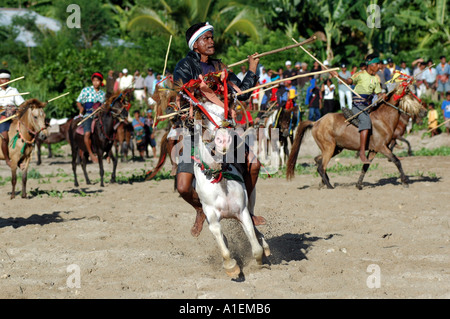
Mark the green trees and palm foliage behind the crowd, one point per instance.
(64, 61)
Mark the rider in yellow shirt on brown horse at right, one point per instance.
(367, 83)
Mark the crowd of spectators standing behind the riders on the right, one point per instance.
(322, 94)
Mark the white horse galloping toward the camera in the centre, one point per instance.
(224, 197)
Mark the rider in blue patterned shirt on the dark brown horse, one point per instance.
(90, 98)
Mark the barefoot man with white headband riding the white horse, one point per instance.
(197, 62)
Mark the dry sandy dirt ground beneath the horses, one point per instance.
(133, 240)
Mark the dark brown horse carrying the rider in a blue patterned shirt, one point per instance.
(103, 135)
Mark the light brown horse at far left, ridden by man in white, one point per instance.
(25, 129)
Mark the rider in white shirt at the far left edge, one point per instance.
(8, 107)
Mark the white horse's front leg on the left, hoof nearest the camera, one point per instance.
(231, 267)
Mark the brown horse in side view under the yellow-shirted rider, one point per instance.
(332, 134)
